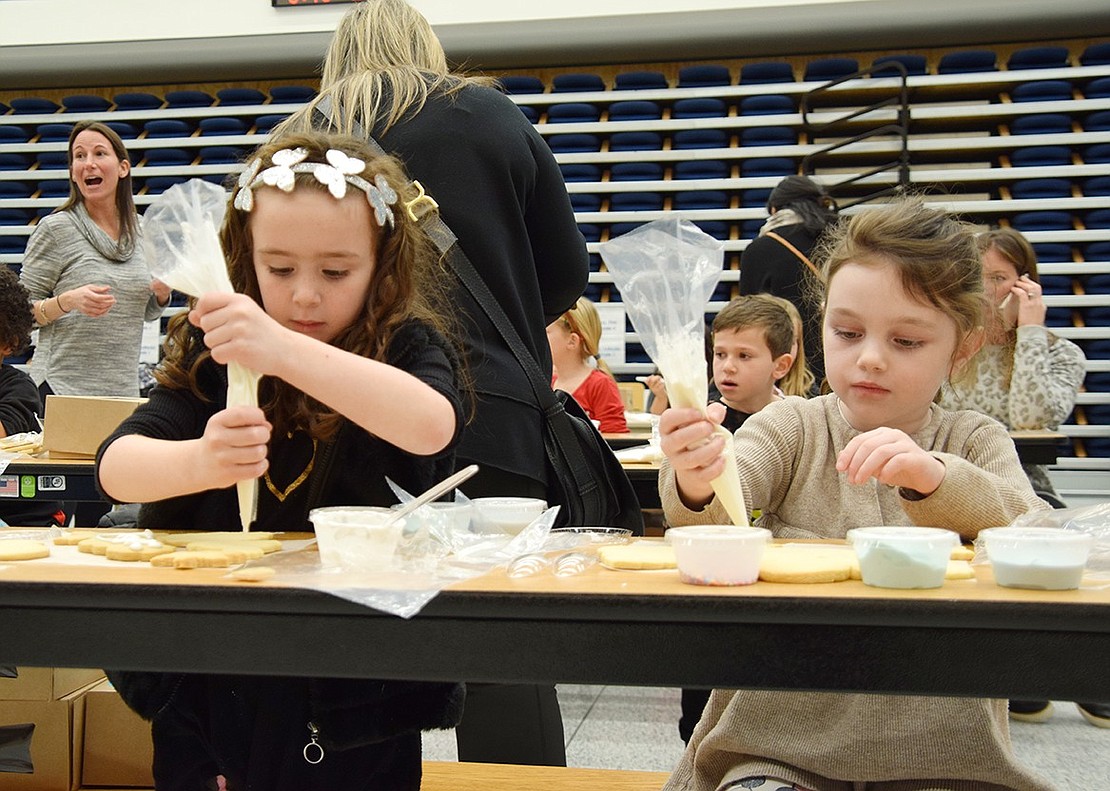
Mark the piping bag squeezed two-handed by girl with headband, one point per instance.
(180, 232)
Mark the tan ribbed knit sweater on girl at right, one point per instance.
(788, 457)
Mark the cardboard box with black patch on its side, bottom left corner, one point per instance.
(43, 744)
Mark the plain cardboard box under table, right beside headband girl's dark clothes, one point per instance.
(118, 749)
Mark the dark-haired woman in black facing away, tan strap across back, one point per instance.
(779, 261)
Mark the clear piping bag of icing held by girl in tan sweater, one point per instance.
(667, 271)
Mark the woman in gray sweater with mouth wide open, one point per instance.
(85, 271)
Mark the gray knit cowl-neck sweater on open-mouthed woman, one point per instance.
(76, 354)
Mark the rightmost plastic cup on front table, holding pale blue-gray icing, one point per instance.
(1045, 559)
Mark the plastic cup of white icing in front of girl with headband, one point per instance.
(357, 538)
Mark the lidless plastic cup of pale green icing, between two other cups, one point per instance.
(903, 557)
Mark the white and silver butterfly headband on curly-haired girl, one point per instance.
(342, 170)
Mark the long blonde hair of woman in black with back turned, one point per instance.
(384, 64)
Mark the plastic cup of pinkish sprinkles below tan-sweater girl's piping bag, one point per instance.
(719, 554)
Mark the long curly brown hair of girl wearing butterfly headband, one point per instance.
(409, 282)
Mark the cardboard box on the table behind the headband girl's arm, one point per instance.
(75, 427)
